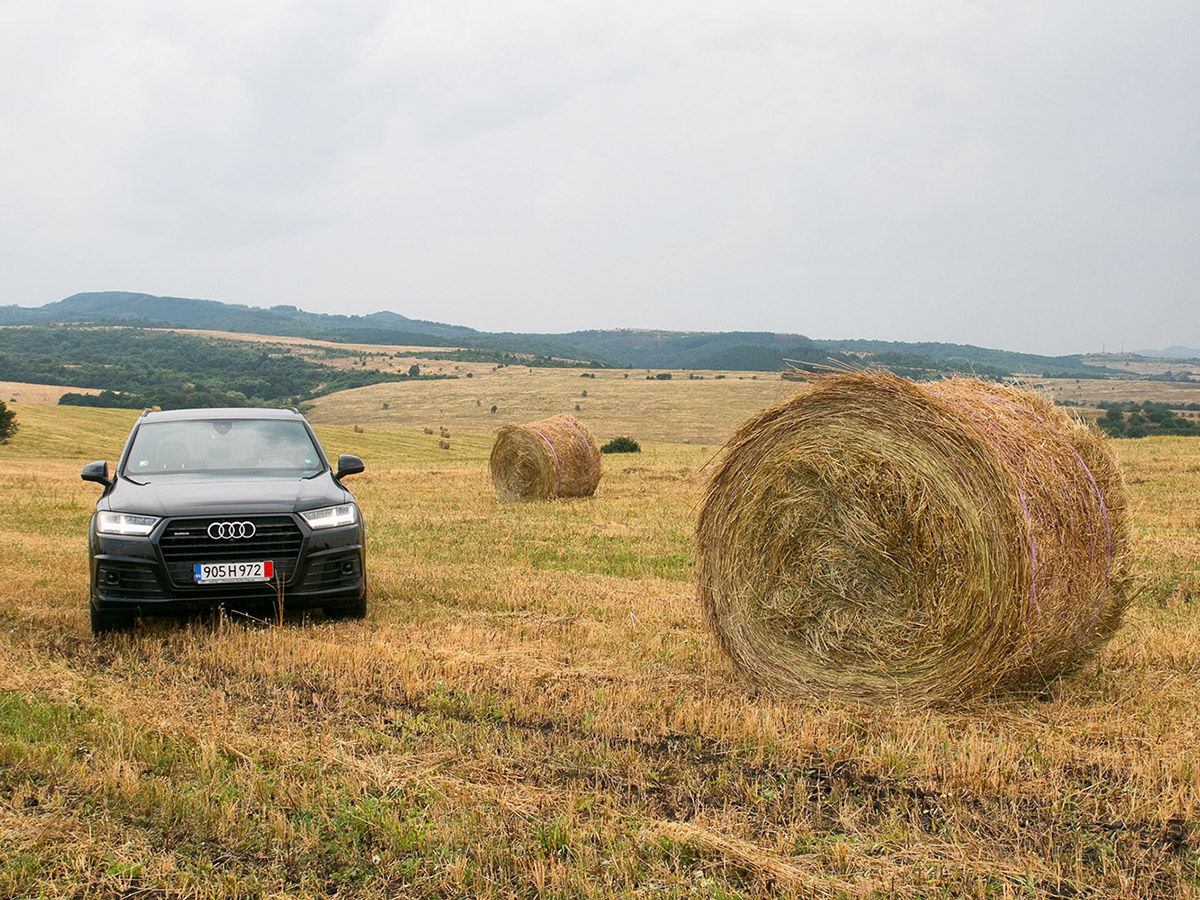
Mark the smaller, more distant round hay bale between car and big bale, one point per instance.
(544, 460)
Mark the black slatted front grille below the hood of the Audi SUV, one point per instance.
(187, 542)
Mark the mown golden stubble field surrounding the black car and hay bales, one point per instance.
(535, 709)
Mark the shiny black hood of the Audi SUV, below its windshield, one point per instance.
(199, 496)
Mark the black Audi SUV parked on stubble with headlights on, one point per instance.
(236, 508)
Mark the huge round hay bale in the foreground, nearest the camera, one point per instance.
(881, 539)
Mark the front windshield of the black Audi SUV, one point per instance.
(224, 447)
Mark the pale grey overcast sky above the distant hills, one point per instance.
(1012, 175)
